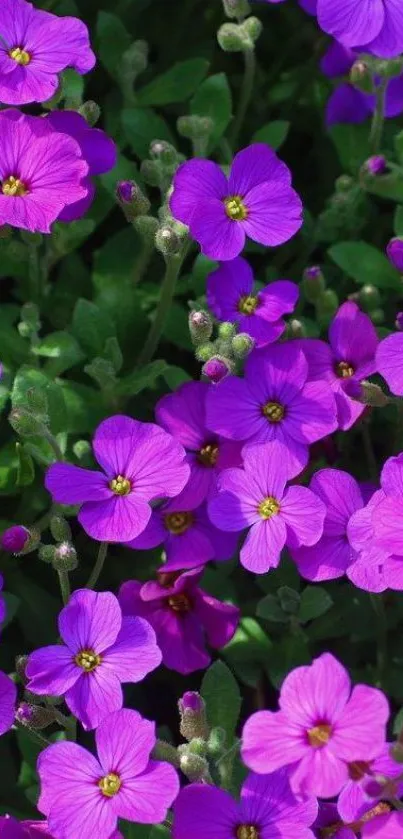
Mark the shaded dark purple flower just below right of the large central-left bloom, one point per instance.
(187, 534)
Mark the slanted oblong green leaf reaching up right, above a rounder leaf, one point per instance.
(176, 85)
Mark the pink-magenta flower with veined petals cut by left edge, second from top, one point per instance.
(41, 172)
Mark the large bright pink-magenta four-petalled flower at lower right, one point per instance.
(322, 726)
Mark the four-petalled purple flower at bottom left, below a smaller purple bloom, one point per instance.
(84, 796)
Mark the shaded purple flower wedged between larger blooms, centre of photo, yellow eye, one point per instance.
(183, 414)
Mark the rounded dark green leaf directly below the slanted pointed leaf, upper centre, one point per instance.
(141, 126)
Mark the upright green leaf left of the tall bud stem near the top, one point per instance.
(213, 99)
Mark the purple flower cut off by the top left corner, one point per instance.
(35, 47)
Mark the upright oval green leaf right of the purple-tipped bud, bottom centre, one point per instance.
(222, 696)
